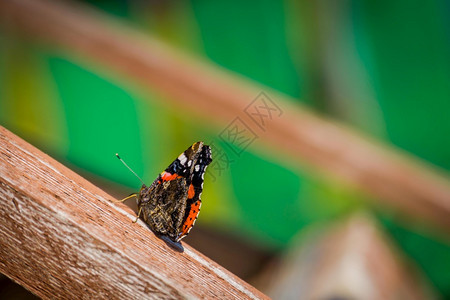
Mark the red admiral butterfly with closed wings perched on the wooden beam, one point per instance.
(172, 203)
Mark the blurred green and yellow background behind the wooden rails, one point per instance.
(382, 67)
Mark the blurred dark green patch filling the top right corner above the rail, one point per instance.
(411, 48)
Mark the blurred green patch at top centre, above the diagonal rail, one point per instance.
(244, 37)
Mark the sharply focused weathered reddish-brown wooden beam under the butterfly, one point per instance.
(63, 238)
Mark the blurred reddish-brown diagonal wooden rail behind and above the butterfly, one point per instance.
(393, 177)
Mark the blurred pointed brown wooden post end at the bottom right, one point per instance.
(351, 260)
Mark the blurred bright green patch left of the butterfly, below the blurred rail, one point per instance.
(101, 120)
